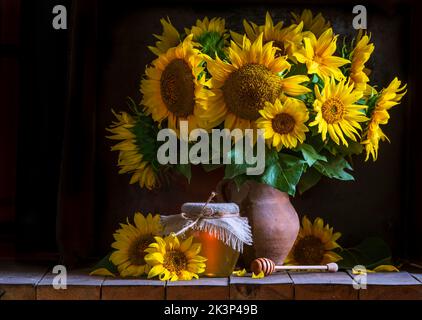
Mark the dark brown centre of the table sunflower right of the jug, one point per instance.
(308, 251)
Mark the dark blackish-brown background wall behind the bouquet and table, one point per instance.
(59, 187)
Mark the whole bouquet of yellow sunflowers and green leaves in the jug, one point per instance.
(306, 86)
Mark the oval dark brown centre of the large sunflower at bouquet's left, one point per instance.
(177, 88)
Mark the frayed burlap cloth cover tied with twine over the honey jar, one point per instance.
(221, 220)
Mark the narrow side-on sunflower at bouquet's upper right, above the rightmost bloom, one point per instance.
(359, 56)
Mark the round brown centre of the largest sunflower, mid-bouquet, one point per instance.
(247, 89)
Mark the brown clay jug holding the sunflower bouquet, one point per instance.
(274, 221)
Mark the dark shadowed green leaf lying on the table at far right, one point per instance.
(371, 253)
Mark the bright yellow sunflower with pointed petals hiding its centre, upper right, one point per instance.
(318, 54)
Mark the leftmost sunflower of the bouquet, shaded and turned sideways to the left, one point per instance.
(131, 160)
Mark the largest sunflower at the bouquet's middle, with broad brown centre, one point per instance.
(239, 89)
